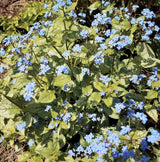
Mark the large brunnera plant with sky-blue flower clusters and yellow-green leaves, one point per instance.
(76, 92)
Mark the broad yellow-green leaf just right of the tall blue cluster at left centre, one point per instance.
(46, 97)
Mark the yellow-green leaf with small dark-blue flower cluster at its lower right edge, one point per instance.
(61, 80)
